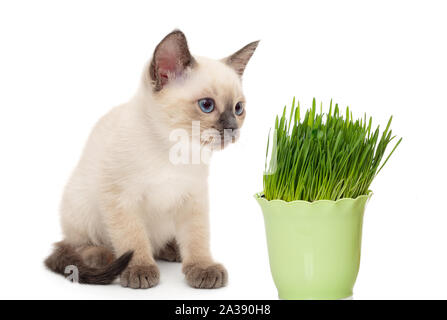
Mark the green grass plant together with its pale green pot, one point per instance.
(316, 185)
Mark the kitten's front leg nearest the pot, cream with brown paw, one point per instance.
(192, 229)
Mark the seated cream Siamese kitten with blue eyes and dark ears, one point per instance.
(127, 203)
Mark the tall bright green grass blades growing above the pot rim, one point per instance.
(324, 156)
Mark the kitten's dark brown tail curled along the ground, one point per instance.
(65, 255)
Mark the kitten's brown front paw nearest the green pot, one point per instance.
(206, 277)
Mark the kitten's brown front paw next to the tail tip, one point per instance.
(140, 277)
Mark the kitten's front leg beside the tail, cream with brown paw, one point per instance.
(127, 232)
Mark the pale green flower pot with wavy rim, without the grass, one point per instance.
(314, 247)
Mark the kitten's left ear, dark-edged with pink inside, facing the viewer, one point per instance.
(171, 58)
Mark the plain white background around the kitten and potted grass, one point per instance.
(63, 64)
